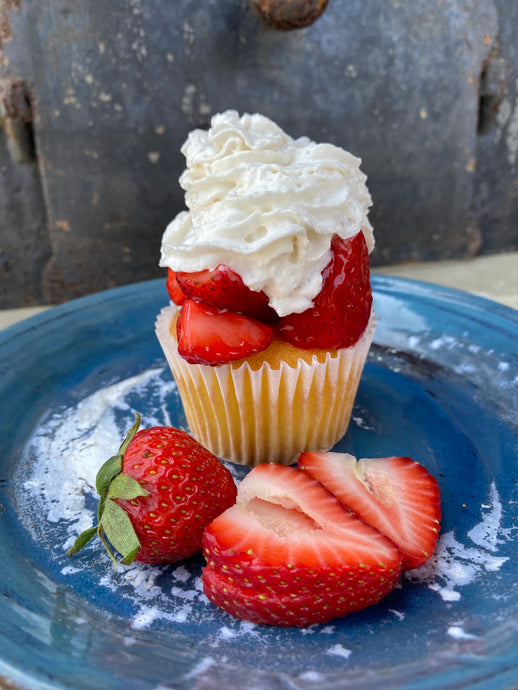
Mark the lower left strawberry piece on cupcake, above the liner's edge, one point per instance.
(207, 335)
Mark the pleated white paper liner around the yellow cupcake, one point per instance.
(251, 416)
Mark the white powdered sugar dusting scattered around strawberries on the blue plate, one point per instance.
(74, 441)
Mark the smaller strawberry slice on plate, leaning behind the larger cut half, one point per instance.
(397, 496)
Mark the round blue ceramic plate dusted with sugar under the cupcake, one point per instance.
(440, 385)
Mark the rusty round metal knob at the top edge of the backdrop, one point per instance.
(286, 15)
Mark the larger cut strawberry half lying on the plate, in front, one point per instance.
(288, 553)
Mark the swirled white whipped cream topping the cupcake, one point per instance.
(267, 206)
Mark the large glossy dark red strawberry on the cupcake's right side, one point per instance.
(341, 310)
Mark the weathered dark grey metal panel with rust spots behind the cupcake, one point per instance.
(116, 87)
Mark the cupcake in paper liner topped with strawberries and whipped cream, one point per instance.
(271, 319)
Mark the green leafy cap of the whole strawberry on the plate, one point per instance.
(114, 527)
